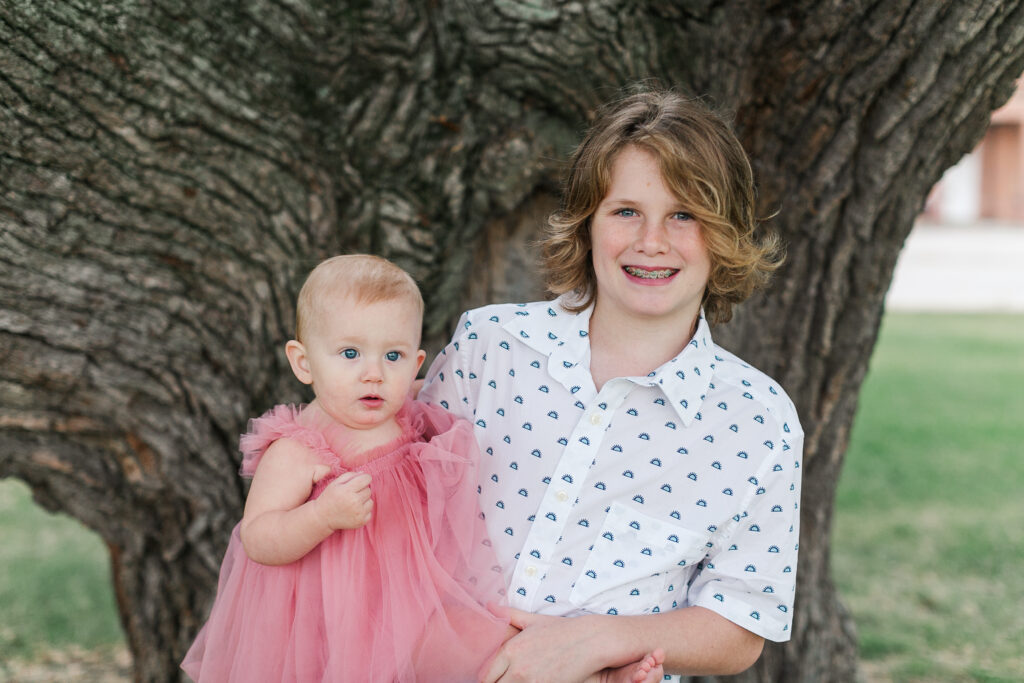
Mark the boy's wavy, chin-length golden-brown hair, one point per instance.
(703, 164)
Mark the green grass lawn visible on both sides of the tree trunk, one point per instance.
(929, 539)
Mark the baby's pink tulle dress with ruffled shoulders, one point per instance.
(403, 599)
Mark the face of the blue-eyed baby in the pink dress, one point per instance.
(364, 359)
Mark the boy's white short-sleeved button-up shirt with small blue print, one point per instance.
(678, 489)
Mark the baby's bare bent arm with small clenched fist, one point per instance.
(280, 525)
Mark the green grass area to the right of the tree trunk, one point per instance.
(929, 538)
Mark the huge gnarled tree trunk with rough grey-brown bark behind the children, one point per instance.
(170, 170)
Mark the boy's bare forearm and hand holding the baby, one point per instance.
(697, 642)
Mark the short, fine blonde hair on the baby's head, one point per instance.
(366, 278)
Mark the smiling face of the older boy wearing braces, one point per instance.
(649, 253)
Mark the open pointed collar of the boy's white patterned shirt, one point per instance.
(563, 337)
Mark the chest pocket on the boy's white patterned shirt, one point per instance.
(632, 561)
